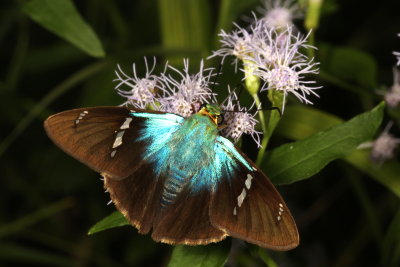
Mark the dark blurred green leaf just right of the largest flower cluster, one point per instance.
(350, 65)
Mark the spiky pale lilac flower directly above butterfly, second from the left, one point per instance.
(185, 95)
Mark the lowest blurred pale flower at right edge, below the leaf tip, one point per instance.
(383, 147)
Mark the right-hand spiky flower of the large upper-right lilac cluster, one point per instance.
(284, 66)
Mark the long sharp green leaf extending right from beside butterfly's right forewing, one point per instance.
(299, 160)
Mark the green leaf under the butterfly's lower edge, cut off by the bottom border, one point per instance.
(213, 255)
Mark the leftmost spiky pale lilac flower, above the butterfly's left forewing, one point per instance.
(140, 92)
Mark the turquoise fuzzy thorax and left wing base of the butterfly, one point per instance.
(182, 152)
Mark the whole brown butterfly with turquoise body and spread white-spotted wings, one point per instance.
(175, 176)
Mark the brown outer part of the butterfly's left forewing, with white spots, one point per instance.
(103, 138)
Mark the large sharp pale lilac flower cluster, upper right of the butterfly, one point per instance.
(272, 55)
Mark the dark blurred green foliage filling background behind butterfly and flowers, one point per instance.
(59, 55)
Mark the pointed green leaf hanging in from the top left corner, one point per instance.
(62, 18)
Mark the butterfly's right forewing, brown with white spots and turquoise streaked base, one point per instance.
(246, 205)
